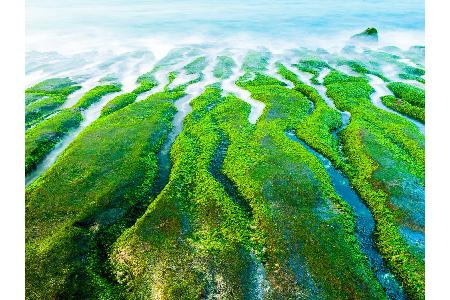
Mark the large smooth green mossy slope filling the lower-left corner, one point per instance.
(94, 191)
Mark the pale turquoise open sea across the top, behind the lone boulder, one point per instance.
(51, 24)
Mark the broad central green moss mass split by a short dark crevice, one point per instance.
(192, 232)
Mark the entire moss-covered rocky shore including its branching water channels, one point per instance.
(321, 197)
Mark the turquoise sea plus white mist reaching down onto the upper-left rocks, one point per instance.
(78, 38)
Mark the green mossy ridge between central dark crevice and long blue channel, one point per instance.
(273, 175)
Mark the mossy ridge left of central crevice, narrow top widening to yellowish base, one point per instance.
(192, 232)
